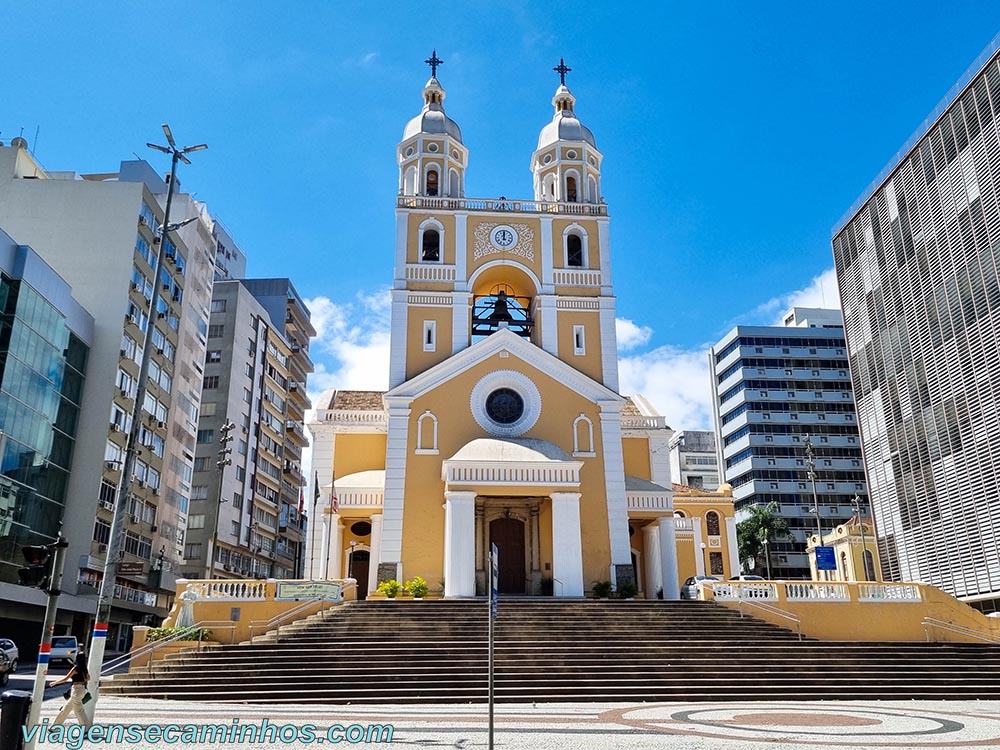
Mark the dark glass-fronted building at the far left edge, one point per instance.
(45, 338)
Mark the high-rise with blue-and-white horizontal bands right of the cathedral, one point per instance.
(772, 386)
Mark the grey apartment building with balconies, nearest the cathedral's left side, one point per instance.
(256, 366)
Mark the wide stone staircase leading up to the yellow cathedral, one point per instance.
(559, 650)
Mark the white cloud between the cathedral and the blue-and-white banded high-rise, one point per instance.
(676, 382)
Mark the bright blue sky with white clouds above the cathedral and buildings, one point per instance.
(734, 134)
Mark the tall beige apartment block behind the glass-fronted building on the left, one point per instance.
(98, 231)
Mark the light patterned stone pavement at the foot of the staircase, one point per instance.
(720, 726)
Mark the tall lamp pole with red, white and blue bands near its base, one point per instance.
(98, 640)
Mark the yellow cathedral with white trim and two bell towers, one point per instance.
(502, 423)
